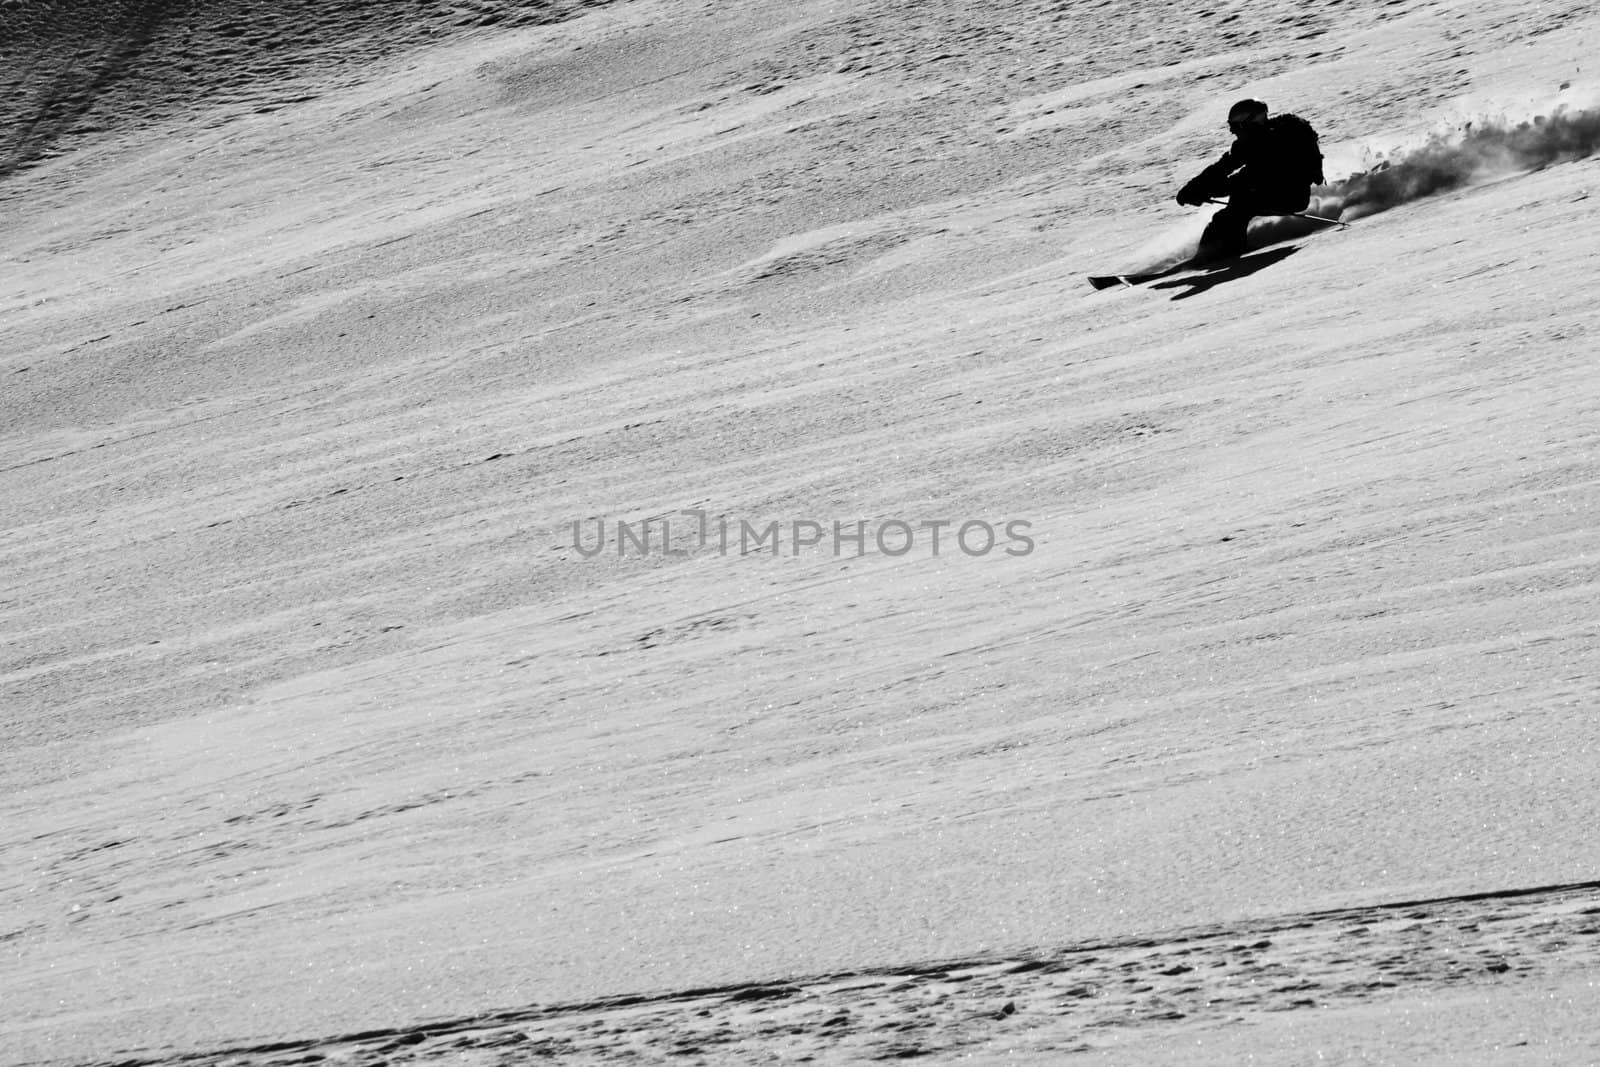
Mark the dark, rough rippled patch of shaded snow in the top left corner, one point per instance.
(132, 73)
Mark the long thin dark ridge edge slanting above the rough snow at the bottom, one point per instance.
(788, 988)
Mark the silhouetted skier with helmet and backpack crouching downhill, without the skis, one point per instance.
(1270, 170)
